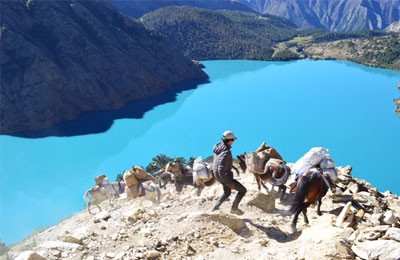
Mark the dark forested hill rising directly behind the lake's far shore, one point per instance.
(207, 34)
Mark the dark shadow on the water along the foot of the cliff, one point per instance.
(94, 122)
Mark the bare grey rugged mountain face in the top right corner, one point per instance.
(334, 15)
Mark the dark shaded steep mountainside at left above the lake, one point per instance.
(60, 58)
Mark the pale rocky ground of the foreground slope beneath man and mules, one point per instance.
(183, 227)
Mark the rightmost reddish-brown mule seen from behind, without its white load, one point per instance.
(310, 188)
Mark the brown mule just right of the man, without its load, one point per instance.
(275, 173)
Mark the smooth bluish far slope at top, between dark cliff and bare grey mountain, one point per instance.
(137, 8)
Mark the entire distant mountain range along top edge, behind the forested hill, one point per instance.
(332, 15)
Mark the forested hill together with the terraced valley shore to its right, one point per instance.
(224, 34)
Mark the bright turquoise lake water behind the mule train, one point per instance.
(293, 106)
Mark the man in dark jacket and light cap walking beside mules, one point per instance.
(222, 171)
